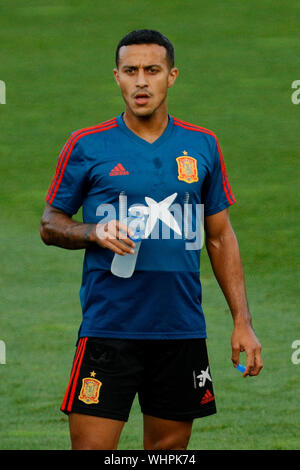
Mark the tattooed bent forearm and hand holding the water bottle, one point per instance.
(59, 229)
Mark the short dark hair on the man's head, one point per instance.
(147, 36)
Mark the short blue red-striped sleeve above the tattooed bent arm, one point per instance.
(66, 191)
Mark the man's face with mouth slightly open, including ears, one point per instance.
(144, 77)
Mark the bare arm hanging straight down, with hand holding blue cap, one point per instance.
(223, 250)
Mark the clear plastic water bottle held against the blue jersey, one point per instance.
(123, 266)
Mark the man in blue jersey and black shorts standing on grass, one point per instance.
(145, 334)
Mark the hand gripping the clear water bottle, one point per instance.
(109, 235)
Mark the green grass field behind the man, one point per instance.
(237, 61)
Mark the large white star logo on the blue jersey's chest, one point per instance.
(159, 210)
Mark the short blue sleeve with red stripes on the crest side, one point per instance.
(217, 194)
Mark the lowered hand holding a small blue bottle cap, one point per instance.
(244, 339)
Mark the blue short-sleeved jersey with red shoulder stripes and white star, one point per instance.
(181, 178)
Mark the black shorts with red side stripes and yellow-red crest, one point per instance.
(172, 378)
